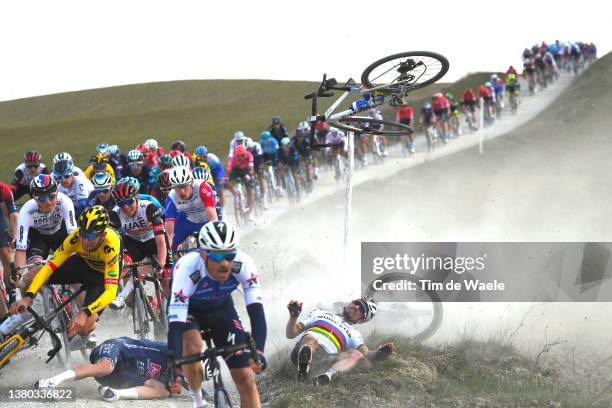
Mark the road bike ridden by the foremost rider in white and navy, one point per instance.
(212, 368)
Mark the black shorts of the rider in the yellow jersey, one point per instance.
(76, 270)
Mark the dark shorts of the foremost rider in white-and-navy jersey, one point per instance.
(225, 324)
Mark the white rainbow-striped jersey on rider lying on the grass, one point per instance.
(333, 333)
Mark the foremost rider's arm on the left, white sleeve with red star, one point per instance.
(182, 288)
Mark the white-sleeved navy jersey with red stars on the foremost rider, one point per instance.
(192, 284)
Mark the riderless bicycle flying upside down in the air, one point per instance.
(386, 80)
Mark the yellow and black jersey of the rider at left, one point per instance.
(105, 259)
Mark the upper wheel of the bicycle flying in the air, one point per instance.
(404, 72)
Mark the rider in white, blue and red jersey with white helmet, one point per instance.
(189, 205)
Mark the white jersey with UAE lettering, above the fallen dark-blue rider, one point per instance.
(143, 225)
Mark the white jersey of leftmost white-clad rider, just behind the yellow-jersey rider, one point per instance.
(45, 224)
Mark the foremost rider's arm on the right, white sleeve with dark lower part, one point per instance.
(253, 298)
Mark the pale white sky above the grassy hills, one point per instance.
(64, 45)
